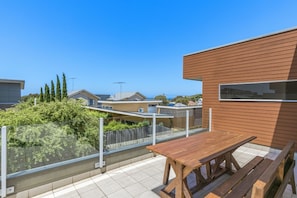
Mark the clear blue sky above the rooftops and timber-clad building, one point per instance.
(139, 42)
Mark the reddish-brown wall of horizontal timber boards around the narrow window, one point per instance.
(268, 58)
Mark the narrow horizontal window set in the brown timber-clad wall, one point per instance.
(262, 91)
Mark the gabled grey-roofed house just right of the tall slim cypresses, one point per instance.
(88, 98)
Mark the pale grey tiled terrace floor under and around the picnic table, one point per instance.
(144, 179)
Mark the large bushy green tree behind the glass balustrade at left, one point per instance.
(45, 134)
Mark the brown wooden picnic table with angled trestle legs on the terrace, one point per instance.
(189, 154)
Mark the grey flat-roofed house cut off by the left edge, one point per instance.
(10, 92)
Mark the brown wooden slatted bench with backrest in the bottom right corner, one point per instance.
(261, 177)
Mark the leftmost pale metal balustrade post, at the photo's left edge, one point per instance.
(3, 161)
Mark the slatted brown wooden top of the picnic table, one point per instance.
(196, 150)
